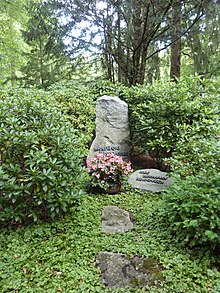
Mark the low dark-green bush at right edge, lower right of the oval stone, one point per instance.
(191, 209)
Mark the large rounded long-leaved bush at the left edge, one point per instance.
(40, 155)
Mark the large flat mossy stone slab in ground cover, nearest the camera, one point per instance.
(119, 271)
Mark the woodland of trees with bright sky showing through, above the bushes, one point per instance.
(132, 42)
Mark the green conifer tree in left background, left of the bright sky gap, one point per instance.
(47, 60)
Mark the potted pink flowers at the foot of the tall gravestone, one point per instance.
(107, 171)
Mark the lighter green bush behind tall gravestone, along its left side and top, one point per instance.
(78, 102)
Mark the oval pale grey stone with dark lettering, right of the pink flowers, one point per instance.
(151, 180)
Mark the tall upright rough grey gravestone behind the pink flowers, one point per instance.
(112, 128)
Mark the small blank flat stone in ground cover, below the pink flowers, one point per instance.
(115, 220)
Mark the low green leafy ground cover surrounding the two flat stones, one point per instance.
(61, 256)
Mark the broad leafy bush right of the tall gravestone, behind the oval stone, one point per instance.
(165, 114)
